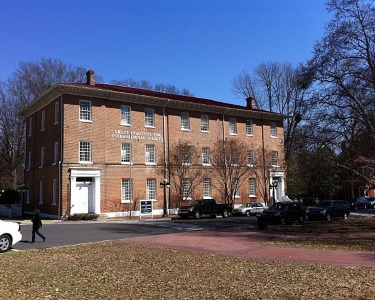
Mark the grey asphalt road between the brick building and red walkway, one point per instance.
(72, 233)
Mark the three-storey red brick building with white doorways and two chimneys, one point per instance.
(100, 148)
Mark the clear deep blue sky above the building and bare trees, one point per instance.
(200, 45)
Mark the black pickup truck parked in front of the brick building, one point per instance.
(205, 207)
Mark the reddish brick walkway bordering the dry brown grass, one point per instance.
(247, 244)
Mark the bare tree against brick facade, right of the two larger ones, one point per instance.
(230, 166)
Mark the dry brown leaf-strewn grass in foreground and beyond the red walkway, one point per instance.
(115, 270)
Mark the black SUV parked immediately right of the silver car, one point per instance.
(282, 213)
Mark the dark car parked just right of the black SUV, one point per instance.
(328, 209)
